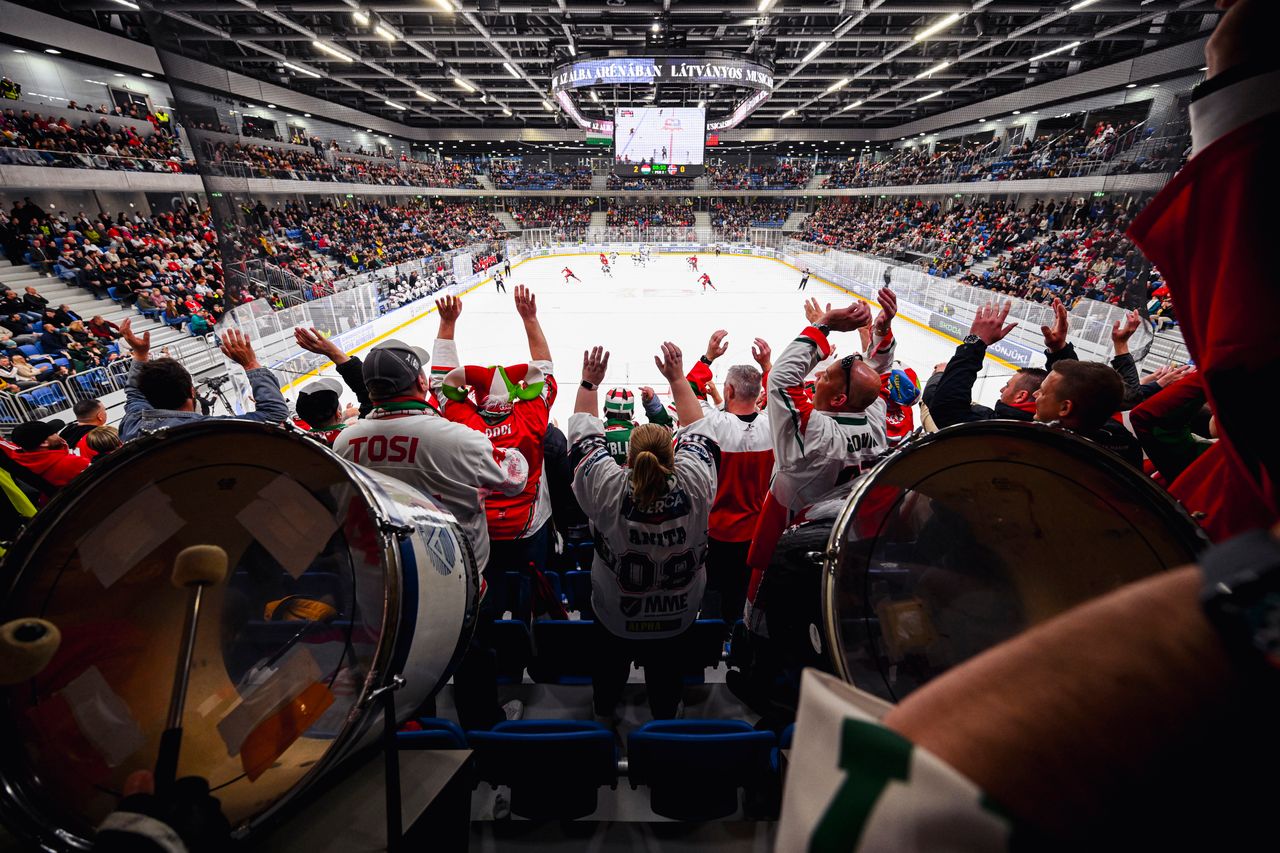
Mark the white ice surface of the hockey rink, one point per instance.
(637, 309)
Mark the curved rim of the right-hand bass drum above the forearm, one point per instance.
(1195, 536)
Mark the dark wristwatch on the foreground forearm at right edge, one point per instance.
(1241, 597)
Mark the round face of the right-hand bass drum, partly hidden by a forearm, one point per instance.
(976, 533)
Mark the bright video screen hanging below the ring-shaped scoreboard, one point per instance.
(659, 142)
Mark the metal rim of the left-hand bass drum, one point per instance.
(19, 809)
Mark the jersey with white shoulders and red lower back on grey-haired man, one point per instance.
(747, 466)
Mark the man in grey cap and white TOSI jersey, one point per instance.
(406, 439)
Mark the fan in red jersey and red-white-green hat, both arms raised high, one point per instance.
(511, 405)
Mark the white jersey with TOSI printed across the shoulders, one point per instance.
(456, 466)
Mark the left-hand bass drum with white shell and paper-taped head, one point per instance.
(339, 580)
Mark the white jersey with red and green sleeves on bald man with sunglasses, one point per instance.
(812, 449)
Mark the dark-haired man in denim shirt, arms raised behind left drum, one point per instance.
(161, 393)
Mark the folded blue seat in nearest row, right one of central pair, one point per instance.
(694, 768)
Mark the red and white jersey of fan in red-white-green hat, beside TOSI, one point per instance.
(524, 430)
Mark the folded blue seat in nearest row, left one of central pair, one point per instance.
(555, 768)
